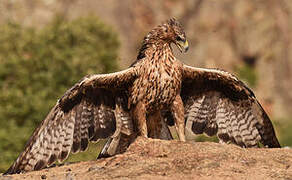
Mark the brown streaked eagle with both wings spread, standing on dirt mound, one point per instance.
(157, 90)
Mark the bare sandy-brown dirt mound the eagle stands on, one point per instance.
(157, 159)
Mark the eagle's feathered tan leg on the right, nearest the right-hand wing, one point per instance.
(177, 109)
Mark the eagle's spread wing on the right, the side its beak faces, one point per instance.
(217, 103)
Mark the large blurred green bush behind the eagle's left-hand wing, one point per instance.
(38, 66)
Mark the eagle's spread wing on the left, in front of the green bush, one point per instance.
(90, 110)
